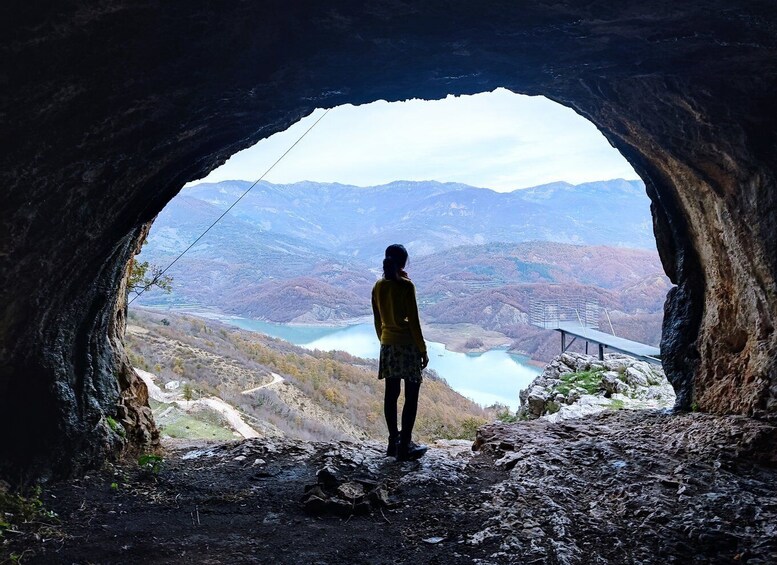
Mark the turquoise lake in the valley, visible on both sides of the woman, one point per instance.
(486, 378)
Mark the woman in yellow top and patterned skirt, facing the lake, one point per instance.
(402, 350)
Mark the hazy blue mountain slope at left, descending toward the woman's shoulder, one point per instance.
(233, 260)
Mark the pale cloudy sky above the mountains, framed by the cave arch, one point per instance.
(497, 140)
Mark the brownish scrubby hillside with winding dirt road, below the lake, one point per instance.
(320, 395)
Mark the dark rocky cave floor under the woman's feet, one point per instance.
(624, 487)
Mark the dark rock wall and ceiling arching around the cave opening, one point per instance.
(108, 108)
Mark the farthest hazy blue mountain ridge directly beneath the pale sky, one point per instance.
(430, 216)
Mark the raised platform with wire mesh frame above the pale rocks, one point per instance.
(580, 320)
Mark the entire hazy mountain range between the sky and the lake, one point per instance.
(310, 252)
